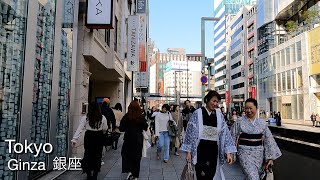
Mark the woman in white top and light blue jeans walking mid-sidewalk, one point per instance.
(161, 131)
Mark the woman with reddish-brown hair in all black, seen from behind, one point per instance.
(133, 123)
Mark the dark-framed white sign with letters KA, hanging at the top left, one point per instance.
(99, 13)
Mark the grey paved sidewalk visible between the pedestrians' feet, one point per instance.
(150, 168)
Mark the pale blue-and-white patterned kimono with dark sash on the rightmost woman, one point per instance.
(251, 158)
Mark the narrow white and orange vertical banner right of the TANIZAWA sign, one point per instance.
(142, 38)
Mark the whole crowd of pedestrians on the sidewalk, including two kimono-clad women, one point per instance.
(208, 135)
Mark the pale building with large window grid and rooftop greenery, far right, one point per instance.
(288, 81)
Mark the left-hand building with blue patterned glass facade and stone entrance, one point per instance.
(51, 66)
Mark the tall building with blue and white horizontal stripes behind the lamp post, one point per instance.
(222, 10)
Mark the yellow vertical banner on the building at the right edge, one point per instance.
(314, 50)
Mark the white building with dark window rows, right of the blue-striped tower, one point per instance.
(238, 58)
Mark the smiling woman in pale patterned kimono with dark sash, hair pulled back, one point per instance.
(257, 148)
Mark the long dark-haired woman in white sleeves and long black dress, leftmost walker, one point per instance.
(95, 125)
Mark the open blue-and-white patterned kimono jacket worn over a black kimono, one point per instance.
(225, 141)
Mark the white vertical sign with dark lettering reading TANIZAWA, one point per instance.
(133, 43)
